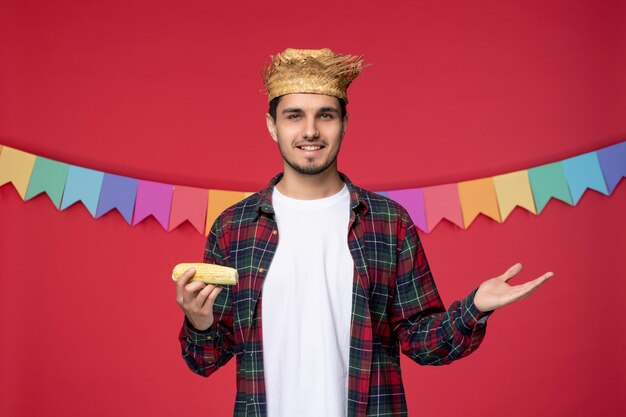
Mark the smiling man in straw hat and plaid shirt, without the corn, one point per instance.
(333, 279)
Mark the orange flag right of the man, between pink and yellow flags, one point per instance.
(478, 196)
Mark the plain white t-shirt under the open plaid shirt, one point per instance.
(307, 300)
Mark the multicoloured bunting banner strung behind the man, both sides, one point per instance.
(171, 205)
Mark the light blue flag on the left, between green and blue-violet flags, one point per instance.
(83, 185)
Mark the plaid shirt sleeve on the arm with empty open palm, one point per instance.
(427, 332)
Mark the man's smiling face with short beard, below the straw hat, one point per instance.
(309, 130)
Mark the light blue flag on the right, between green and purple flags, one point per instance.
(582, 172)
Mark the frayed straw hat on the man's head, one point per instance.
(317, 71)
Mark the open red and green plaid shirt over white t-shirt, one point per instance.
(395, 304)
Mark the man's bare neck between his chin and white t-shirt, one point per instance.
(310, 187)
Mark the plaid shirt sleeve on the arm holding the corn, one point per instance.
(208, 350)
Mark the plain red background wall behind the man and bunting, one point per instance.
(169, 91)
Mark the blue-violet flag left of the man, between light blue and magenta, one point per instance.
(117, 192)
